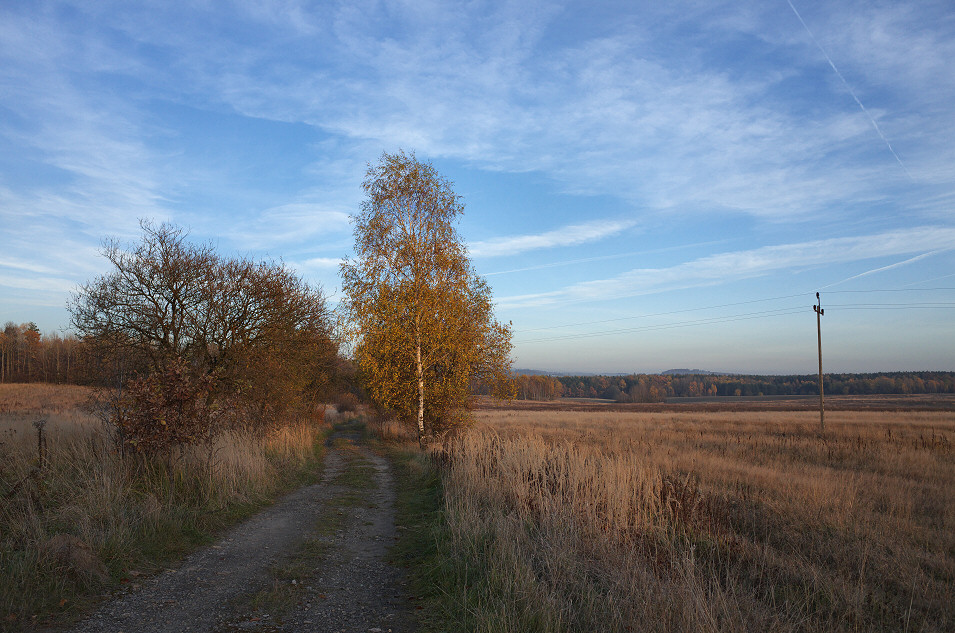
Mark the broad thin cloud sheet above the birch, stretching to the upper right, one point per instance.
(609, 112)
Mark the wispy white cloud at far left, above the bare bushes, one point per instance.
(92, 139)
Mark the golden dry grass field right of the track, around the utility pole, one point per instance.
(709, 521)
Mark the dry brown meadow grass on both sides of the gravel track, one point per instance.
(550, 520)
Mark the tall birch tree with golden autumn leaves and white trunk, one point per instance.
(420, 318)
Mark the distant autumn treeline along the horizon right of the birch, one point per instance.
(656, 388)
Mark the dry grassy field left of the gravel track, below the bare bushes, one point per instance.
(76, 520)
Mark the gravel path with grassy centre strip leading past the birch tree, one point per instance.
(350, 587)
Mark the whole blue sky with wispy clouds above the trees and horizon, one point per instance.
(648, 185)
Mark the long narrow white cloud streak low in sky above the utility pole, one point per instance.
(731, 266)
